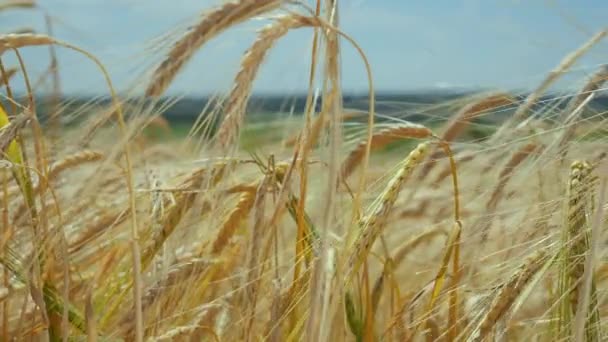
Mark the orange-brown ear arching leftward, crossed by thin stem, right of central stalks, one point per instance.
(382, 139)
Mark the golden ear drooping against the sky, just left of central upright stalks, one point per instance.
(239, 95)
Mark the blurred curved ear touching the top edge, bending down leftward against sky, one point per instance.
(211, 25)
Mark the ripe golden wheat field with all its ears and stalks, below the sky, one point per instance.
(348, 226)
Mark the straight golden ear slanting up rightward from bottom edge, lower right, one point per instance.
(508, 293)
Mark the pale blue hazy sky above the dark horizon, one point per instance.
(411, 44)
